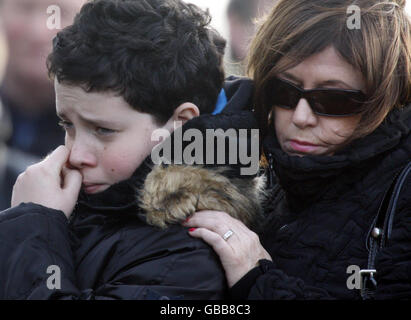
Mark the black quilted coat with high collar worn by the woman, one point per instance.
(320, 213)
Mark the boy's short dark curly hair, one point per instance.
(156, 54)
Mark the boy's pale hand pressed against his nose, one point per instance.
(49, 183)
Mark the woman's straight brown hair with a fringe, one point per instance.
(380, 49)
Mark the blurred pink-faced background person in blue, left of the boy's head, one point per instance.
(27, 93)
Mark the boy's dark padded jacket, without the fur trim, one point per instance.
(107, 250)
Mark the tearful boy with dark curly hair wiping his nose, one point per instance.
(122, 70)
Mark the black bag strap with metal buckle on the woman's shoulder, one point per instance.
(380, 231)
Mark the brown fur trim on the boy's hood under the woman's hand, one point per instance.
(171, 194)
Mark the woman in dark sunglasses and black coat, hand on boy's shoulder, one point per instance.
(332, 102)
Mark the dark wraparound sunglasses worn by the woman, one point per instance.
(324, 102)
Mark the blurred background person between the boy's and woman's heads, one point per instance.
(241, 17)
